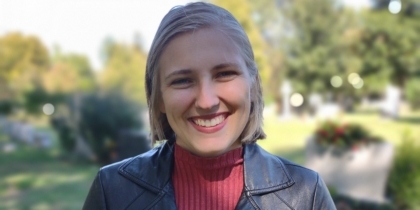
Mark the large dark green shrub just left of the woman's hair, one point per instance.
(102, 117)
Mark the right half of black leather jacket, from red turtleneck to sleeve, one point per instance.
(278, 180)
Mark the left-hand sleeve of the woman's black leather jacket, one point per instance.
(96, 196)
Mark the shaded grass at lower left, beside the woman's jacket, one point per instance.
(32, 178)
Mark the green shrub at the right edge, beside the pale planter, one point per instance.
(404, 180)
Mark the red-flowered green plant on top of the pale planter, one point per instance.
(348, 136)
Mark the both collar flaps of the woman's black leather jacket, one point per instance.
(263, 172)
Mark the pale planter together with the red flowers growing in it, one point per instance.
(350, 160)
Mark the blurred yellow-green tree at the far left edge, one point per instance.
(22, 60)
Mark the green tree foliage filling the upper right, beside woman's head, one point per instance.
(316, 40)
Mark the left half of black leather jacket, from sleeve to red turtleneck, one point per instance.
(125, 183)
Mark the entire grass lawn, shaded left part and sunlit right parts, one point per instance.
(33, 178)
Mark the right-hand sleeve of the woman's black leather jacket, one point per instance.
(322, 198)
